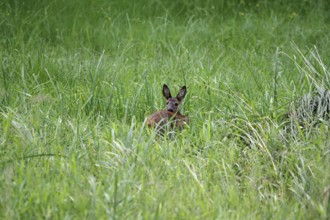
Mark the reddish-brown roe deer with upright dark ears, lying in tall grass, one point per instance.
(171, 116)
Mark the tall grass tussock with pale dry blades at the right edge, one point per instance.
(312, 108)
